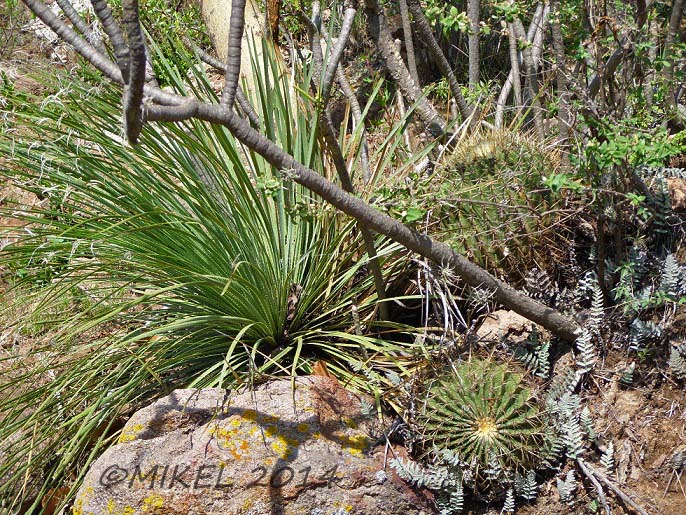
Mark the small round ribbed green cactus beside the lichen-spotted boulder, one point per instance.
(482, 412)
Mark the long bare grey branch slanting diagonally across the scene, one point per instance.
(168, 106)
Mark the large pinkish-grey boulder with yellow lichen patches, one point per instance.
(275, 450)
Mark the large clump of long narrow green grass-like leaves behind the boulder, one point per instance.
(198, 265)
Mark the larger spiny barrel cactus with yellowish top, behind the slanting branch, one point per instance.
(486, 199)
